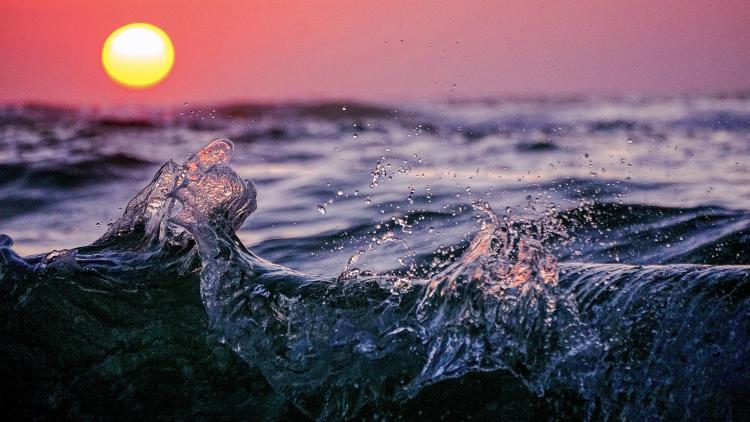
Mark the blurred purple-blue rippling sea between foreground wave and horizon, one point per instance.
(635, 179)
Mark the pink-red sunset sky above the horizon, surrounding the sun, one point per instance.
(382, 50)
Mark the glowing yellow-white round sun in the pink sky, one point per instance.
(138, 55)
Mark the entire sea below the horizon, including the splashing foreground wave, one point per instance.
(610, 282)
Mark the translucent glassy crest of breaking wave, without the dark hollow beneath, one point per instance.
(626, 342)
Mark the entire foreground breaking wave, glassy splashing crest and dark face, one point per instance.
(592, 341)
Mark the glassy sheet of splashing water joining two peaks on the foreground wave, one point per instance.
(476, 314)
